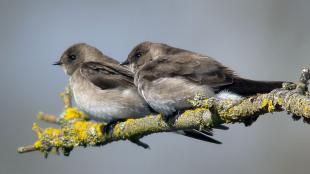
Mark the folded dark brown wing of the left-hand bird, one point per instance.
(107, 75)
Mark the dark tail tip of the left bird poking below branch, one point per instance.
(199, 135)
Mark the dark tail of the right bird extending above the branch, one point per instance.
(246, 87)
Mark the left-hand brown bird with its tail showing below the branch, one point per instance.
(104, 89)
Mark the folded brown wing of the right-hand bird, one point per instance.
(194, 67)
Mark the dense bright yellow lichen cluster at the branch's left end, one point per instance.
(70, 134)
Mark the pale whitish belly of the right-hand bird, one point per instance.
(169, 95)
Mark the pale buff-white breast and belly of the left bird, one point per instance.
(107, 105)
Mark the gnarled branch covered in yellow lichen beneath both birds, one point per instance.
(76, 130)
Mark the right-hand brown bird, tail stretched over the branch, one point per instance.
(167, 77)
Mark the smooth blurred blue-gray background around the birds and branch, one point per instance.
(260, 39)
